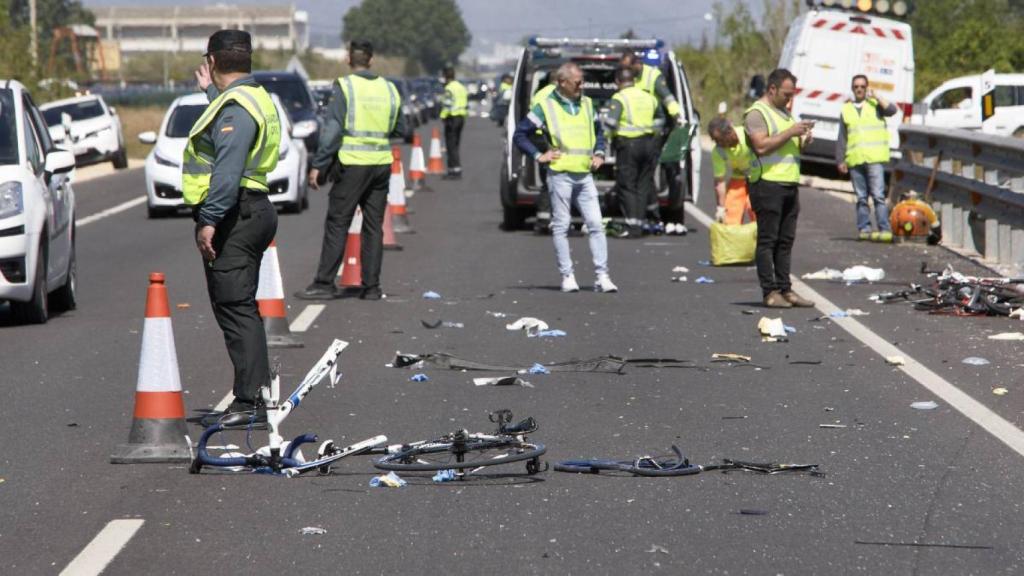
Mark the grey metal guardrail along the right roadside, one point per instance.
(975, 183)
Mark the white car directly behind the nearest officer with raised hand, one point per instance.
(163, 168)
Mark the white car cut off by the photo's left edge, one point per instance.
(37, 212)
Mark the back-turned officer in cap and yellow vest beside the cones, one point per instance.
(364, 115)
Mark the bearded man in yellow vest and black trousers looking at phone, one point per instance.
(777, 140)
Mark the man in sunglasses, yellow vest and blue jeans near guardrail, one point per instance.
(863, 152)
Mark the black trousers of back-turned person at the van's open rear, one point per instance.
(635, 164)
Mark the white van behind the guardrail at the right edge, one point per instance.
(957, 104)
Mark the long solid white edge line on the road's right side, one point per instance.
(977, 413)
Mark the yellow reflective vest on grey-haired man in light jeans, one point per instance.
(571, 135)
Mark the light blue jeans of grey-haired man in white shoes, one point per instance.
(566, 189)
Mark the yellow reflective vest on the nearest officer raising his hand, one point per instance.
(197, 167)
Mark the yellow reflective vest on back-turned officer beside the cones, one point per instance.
(372, 111)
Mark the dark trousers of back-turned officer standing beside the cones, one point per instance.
(364, 187)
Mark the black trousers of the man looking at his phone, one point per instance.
(777, 207)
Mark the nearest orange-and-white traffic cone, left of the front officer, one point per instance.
(158, 429)
